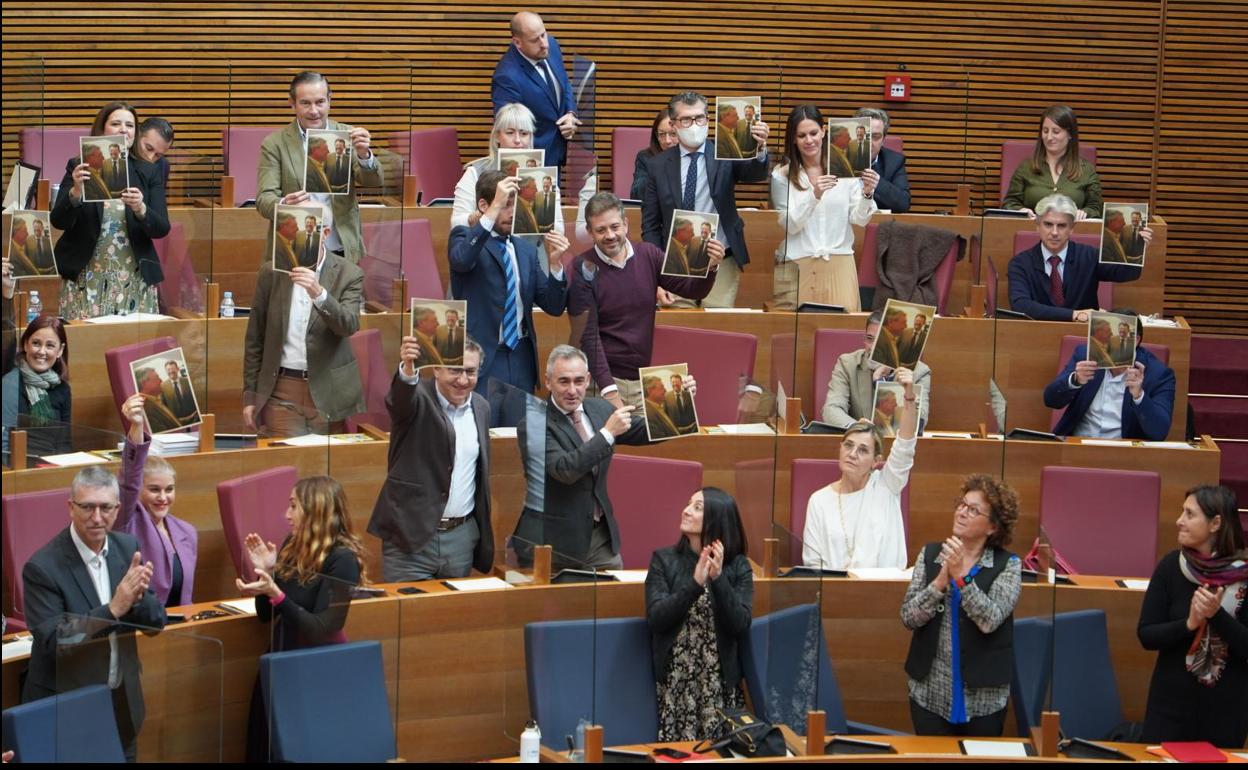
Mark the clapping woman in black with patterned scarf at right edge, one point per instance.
(1196, 617)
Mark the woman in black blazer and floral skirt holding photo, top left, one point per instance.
(107, 254)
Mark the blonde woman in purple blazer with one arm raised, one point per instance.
(148, 492)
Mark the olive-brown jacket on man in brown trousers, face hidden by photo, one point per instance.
(334, 375)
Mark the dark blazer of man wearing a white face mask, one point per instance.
(663, 197)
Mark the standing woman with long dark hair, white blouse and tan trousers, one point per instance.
(817, 212)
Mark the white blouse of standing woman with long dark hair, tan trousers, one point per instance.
(818, 228)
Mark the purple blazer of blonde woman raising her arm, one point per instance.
(134, 520)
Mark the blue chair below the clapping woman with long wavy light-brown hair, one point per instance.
(329, 704)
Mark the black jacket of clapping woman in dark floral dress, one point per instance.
(671, 592)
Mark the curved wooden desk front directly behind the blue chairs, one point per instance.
(455, 662)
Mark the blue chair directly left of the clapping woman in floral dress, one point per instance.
(598, 671)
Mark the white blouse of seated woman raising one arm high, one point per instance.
(867, 524)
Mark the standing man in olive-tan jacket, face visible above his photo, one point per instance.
(280, 177)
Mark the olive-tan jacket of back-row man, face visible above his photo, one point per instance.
(281, 173)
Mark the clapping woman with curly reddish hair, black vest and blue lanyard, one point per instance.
(960, 607)
